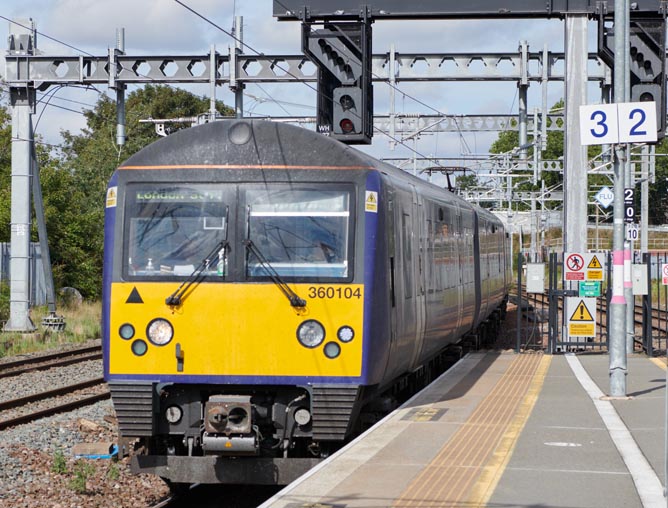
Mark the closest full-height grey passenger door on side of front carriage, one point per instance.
(418, 233)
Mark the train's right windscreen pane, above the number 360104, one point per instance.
(301, 233)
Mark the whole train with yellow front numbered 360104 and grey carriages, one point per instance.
(267, 290)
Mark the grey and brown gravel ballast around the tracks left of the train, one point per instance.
(37, 465)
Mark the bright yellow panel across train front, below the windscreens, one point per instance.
(235, 330)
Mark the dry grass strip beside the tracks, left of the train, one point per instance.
(82, 324)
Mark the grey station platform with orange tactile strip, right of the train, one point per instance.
(506, 430)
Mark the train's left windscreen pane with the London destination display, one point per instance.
(171, 229)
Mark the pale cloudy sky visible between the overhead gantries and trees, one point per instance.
(163, 27)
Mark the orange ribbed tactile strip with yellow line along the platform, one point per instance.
(449, 478)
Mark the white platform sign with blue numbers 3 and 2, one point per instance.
(625, 122)
